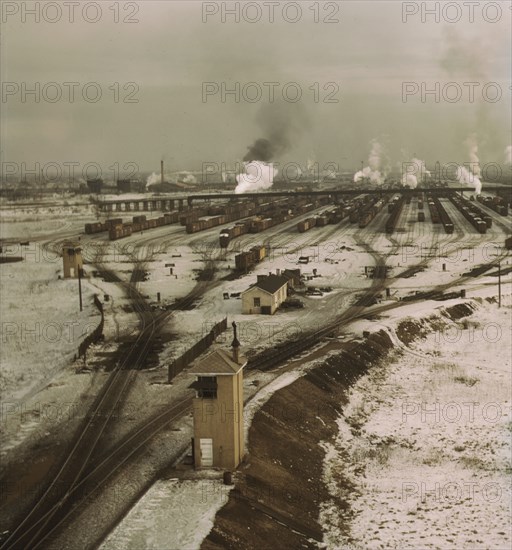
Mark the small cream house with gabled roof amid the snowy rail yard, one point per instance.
(266, 295)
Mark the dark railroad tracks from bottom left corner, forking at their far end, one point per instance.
(52, 507)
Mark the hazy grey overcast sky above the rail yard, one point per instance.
(170, 52)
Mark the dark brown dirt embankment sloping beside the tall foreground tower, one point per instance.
(279, 487)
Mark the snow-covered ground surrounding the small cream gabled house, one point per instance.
(339, 264)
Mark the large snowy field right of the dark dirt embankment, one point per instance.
(425, 440)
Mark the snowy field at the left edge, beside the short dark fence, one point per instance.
(42, 325)
